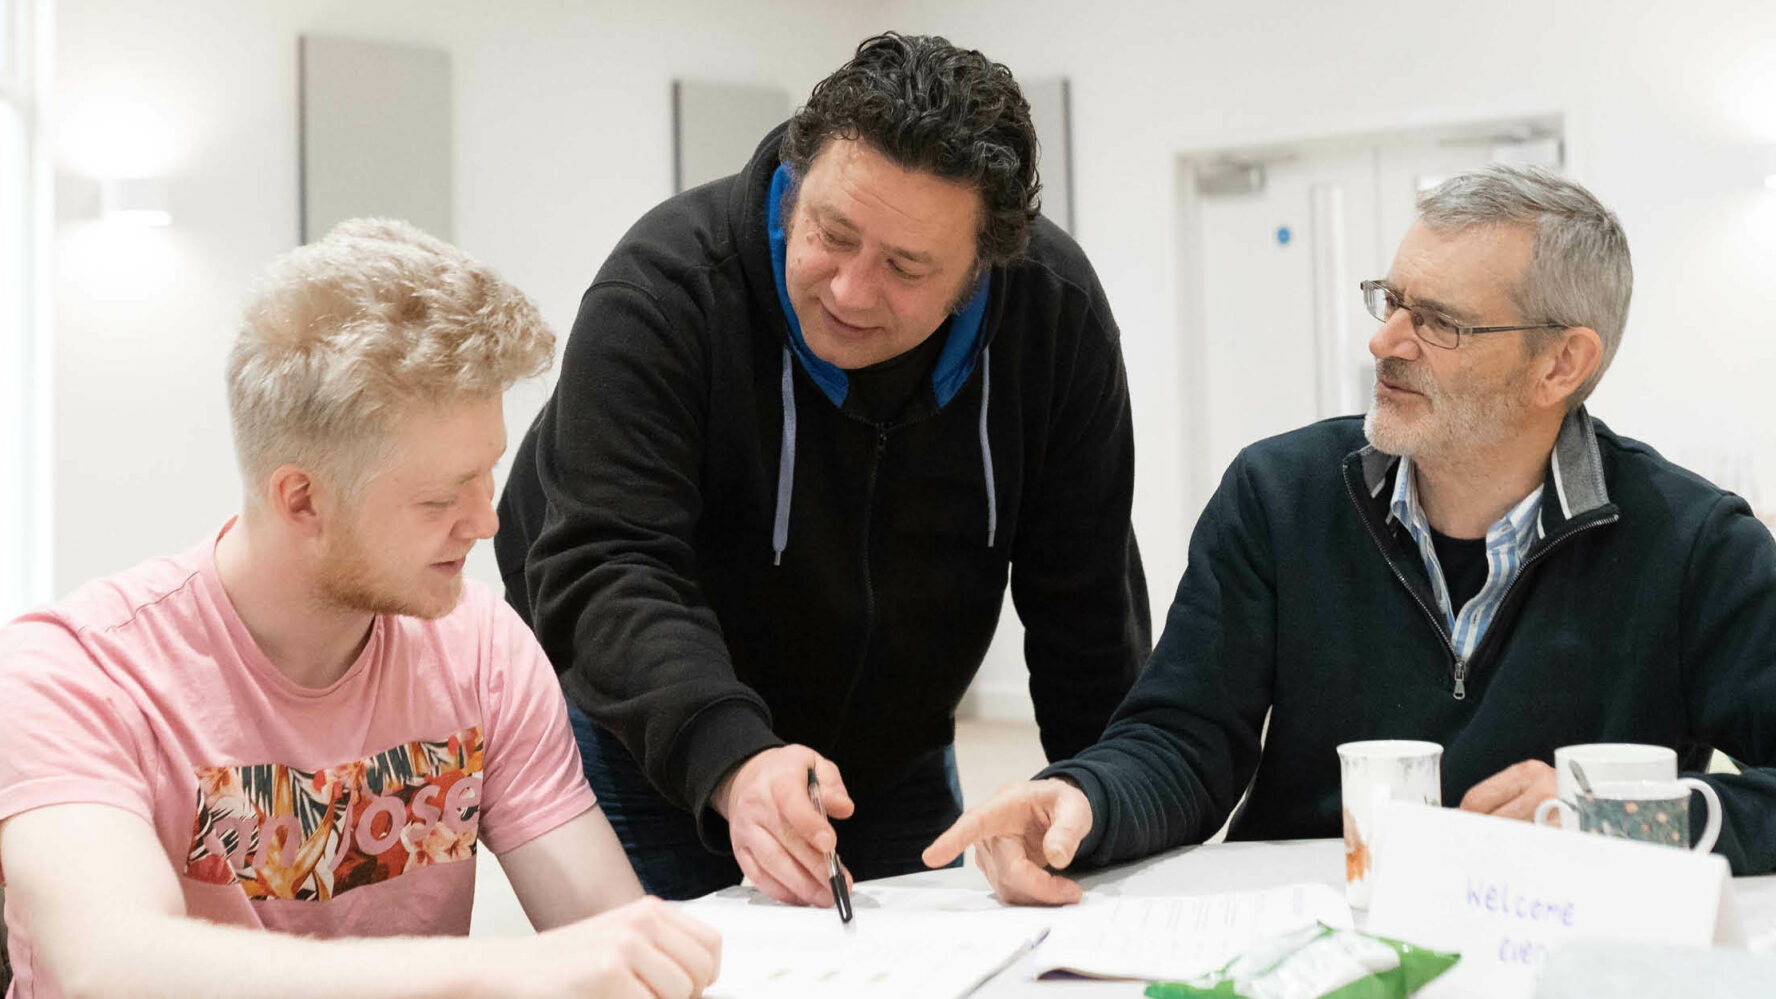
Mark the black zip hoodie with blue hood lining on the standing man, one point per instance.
(718, 559)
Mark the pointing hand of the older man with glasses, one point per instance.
(1019, 835)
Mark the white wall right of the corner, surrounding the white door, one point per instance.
(1670, 118)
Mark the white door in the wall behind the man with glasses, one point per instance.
(1283, 335)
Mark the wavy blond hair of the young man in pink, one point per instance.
(347, 333)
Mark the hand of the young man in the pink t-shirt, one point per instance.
(644, 950)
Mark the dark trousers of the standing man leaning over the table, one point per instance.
(884, 838)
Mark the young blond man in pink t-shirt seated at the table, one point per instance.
(308, 724)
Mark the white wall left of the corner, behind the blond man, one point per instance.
(564, 124)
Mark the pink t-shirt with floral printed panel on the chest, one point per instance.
(345, 811)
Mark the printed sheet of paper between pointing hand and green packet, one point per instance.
(1168, 939)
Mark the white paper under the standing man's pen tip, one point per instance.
(932, 952)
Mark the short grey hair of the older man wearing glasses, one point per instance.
(1580, 269)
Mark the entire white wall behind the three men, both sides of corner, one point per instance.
(564, 140)
